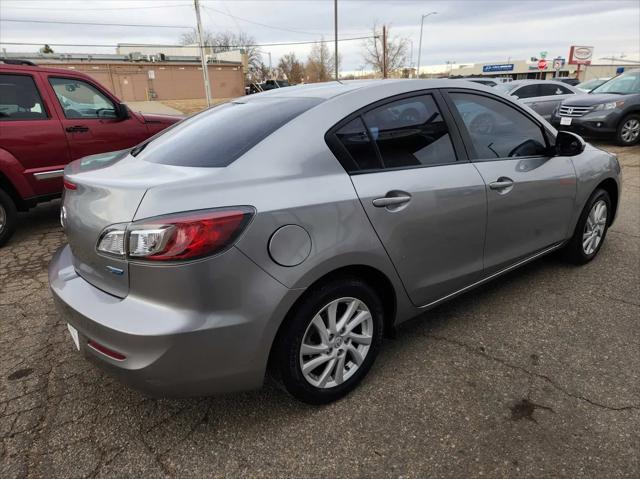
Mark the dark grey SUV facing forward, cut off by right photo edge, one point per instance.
(611, 110)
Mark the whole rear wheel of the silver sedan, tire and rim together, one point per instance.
(330, 341)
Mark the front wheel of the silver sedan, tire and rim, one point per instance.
(591, 229)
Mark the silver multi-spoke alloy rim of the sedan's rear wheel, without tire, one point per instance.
(336, 342)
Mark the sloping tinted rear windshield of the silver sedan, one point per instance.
(220, 135)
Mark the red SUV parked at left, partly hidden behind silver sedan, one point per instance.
(49, 117)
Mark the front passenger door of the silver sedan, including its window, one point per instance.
(530, 193)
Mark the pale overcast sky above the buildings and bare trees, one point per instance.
(463, 31)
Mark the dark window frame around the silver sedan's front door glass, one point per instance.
(548, 136)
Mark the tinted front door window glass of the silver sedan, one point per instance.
(498, 130)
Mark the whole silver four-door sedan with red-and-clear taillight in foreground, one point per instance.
(290, 230)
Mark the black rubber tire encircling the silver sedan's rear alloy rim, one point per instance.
(288, 343)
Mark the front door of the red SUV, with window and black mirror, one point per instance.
(89, 118)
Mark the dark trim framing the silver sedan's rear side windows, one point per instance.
(345, 158)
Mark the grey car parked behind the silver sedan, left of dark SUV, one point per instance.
(542, 96)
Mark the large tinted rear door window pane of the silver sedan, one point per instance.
(410, 132)
